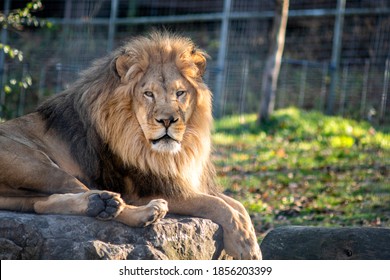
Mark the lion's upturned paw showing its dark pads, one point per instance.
(104, 205)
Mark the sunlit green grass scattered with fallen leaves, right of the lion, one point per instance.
(305, 169)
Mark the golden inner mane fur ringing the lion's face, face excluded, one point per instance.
(120, 128)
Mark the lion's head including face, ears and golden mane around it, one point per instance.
(157, 115)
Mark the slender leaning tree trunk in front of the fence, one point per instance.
(272, 66)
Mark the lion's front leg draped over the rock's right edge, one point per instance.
(239, 237)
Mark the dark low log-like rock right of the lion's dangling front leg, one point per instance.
(319, 243)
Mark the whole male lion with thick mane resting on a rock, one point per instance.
(134, 129)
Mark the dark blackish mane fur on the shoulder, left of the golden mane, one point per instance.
(68, 114)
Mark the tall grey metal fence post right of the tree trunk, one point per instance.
(336, 52)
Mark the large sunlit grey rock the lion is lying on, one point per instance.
(31, 236)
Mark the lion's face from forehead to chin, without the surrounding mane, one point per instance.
(163, 102)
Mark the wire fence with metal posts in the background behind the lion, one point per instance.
(236, 35)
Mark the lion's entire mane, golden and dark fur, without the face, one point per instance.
(95, 117)
